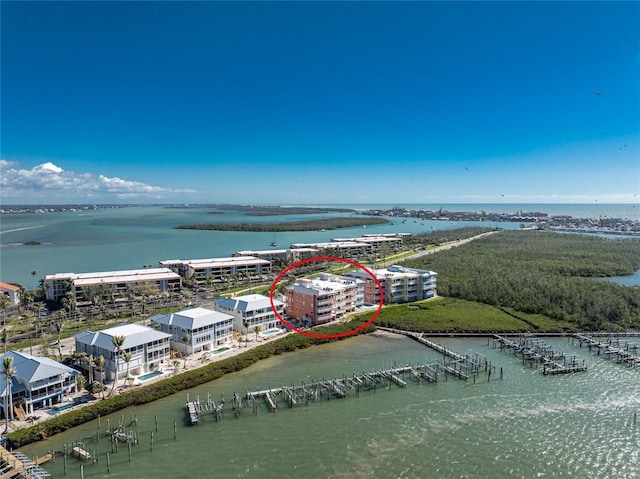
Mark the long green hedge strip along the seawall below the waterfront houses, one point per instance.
(174, 384)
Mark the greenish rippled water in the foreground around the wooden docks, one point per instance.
(525, 425)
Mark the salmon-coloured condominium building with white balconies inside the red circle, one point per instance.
(321, 300)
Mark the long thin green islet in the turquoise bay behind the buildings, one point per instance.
(308, 225)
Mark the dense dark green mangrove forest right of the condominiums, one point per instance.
(550, 274)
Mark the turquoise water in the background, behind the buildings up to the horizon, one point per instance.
(128, 238)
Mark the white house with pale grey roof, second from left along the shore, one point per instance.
(149, 349)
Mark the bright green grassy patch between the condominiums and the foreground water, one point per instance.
(450, 315)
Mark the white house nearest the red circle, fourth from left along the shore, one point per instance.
(254, 309)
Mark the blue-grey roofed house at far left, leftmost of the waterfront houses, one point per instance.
(37, 382)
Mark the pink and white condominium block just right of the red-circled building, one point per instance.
(399, 284)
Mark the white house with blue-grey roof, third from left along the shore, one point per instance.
(203, 329)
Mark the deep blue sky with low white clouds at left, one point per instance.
(320, 102)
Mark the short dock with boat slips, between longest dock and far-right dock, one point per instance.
(534, 351)
